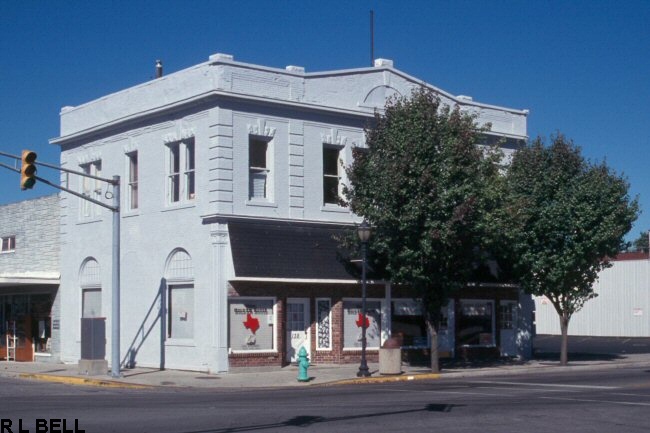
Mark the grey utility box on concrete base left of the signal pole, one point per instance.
(93, 346)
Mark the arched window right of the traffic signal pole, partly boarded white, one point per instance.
(179, 274)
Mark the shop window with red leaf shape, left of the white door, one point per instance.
(251, 324)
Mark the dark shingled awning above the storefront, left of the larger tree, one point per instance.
(265, 249)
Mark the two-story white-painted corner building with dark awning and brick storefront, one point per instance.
(231, 174)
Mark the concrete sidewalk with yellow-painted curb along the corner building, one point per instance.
(319, 374)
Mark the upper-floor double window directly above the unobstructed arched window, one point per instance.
(180, 171)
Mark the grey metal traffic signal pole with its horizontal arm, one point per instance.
(115, 273)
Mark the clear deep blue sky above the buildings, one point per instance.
(580, 67)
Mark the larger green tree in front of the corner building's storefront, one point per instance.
(421, 184)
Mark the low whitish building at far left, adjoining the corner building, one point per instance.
(29, 280)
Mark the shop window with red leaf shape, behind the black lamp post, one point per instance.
(353, 320)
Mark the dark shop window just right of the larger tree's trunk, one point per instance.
(476, 323)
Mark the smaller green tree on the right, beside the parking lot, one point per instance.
(566, 215)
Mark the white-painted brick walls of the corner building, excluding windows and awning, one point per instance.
(219, 104)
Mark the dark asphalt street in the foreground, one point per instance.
(616, 400)
